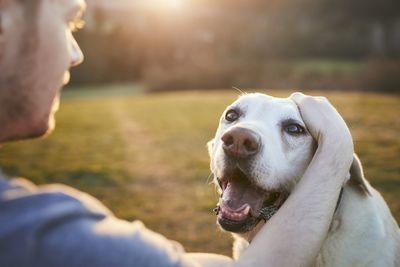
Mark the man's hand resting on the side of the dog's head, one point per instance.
(326, 126)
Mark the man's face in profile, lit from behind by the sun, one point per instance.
(35, 57)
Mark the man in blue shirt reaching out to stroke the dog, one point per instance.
(59, 226)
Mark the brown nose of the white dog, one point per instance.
(240, 142)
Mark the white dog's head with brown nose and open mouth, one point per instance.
(260, 150)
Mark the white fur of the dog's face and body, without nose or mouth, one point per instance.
(363, 232)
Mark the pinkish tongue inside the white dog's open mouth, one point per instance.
(240, 192)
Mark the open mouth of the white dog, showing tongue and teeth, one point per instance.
(242, 204)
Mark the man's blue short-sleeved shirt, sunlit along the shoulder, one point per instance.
(59, 226)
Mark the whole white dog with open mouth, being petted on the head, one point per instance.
(260, 151)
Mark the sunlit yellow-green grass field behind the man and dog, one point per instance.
(144, 156)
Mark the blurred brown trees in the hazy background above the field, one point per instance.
(245, 43)
